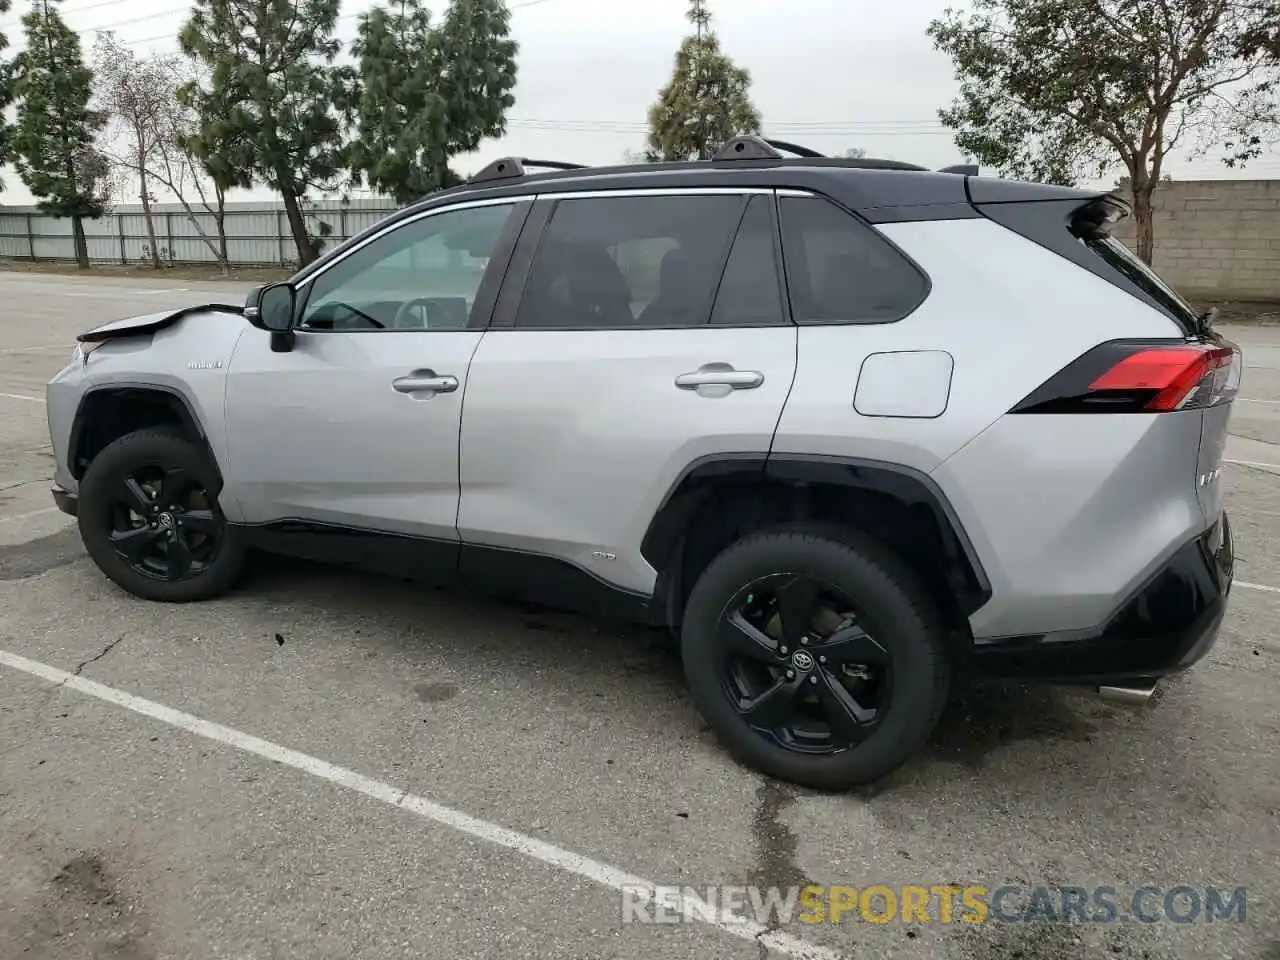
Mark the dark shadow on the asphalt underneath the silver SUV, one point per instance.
(577, 652)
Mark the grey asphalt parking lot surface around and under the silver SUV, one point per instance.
(333, 766)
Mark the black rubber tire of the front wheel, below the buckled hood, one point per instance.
(106, 510)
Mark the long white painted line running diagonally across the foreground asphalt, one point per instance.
(495, 834)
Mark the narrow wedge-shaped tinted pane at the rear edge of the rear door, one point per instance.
(749, 294)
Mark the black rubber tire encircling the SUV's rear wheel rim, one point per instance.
(894, 611)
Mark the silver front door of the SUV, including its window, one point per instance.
(358, 424)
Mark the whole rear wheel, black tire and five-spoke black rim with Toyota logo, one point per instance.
(816, 657)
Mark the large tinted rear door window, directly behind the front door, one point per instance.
(630, 262)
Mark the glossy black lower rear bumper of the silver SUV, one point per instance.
(1165, 627)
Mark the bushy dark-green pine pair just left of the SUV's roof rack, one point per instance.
(429, 94)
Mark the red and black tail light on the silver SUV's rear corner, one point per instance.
(1141, 377)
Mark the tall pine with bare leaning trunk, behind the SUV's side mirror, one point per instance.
(276, 99)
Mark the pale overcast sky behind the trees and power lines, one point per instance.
(828, 74)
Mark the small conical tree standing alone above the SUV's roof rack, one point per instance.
(707, 102)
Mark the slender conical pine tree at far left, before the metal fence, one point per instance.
(53, 140)
